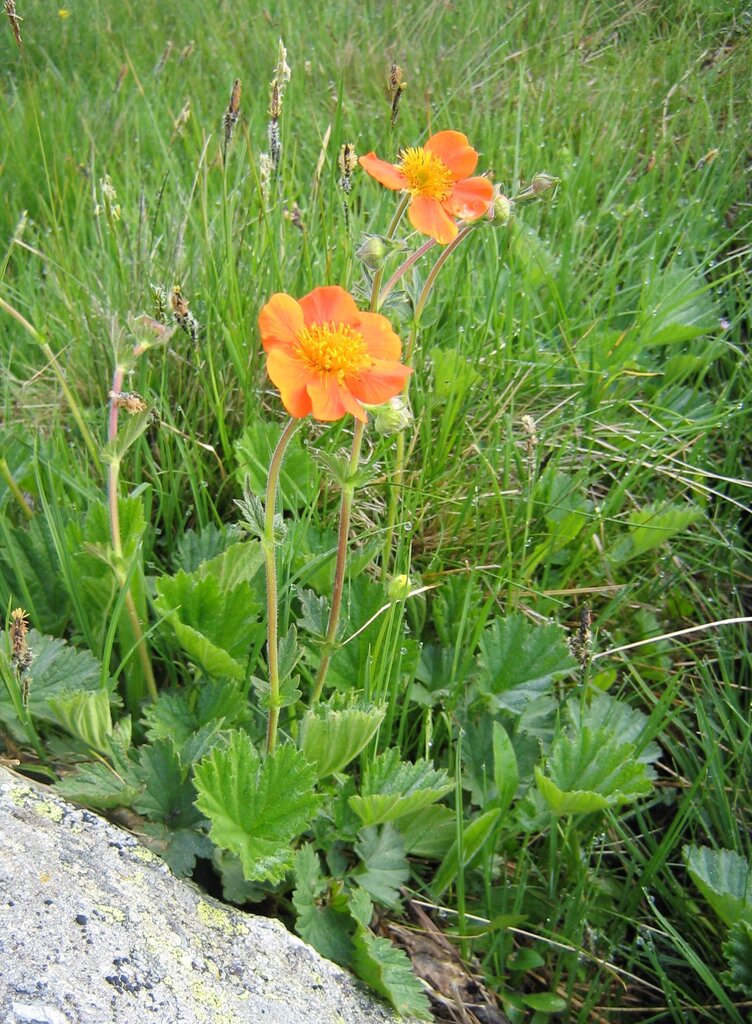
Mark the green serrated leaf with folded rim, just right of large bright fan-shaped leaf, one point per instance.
(393, 788)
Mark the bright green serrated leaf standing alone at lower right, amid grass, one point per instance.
(591, 771)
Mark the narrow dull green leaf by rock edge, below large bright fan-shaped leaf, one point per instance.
(328, 930)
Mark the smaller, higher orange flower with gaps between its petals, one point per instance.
(437, 176)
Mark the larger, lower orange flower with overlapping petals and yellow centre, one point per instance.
(328, 358)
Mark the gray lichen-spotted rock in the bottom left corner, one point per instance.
(96, 930)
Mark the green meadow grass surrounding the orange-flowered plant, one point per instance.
(614, 313)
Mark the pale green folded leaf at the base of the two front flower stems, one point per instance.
(331, 739)
